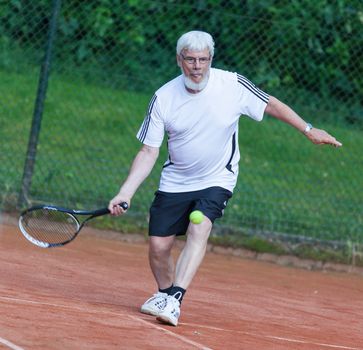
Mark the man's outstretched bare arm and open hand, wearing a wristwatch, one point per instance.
(284, 113)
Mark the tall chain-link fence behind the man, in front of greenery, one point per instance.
(107, 57)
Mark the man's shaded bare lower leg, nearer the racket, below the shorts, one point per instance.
(161, 260)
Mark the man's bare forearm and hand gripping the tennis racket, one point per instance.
(139, 171)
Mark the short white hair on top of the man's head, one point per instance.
(195, 41)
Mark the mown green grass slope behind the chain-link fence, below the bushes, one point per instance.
(87, 141)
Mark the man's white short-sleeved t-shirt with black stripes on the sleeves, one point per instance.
(202, 129)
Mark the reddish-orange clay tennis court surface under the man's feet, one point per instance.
(87, 296)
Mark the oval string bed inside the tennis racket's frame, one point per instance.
(50, 226)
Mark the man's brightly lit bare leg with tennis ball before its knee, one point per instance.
(193, 252)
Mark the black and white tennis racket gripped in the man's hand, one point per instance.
(50, 226)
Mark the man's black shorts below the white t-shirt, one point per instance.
(169, 212)
